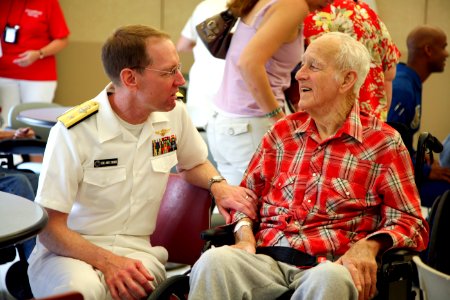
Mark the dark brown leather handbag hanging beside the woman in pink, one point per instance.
(215, 32)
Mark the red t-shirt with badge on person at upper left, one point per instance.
(40, 21)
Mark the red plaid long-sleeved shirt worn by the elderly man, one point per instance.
(325, 196)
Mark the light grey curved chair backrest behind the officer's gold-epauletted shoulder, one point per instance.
(13, 123)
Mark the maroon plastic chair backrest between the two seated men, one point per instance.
(184, 213)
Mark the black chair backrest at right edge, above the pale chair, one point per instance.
(437, 254)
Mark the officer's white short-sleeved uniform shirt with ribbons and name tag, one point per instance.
(110, 182)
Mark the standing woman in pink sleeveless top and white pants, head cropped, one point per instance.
(266, 46)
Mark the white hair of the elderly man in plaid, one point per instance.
(351, 55)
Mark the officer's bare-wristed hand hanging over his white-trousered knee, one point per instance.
(127, 278)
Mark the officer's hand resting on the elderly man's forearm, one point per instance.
(233, 197)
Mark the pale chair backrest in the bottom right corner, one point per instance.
(434, 285)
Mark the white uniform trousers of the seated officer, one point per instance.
(51, 274)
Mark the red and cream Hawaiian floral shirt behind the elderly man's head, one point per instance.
(361, 22)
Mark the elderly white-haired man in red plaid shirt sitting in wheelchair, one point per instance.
(335, 187)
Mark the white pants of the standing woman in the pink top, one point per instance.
(233, 141)
